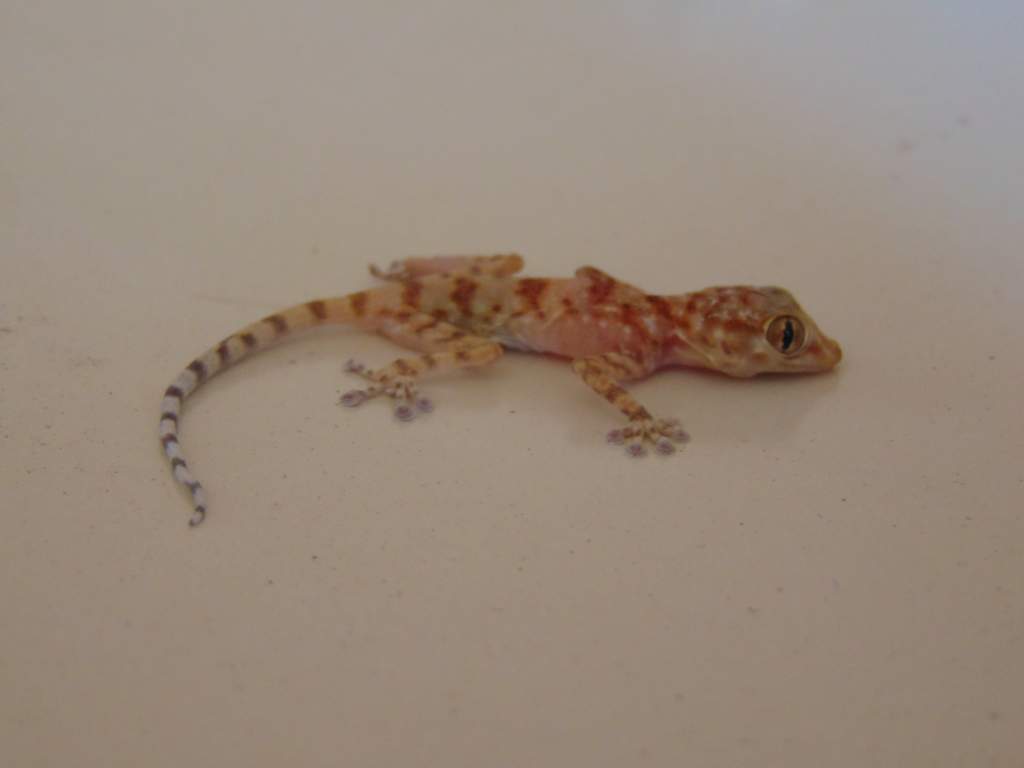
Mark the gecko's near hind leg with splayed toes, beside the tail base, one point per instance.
(444, 348)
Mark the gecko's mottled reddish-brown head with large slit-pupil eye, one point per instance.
(744, 331)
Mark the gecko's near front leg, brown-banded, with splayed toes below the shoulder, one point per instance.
(603, 373)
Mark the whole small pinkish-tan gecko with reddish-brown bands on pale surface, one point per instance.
(463, 312)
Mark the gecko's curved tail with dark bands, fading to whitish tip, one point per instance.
(235, 349)
